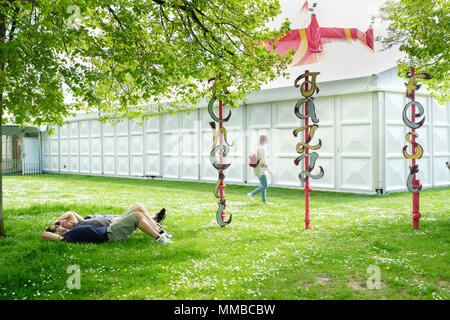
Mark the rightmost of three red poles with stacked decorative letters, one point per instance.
(412, 183)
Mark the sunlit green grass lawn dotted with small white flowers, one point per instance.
(264, 254)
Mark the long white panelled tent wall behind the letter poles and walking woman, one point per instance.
(361, 130)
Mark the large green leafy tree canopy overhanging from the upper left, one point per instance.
(119, 57)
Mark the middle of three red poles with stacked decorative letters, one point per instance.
(307, 89)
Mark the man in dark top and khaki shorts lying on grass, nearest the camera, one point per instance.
(119, 229)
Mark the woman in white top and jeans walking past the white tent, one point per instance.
(261, 170)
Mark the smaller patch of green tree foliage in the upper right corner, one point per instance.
(421, 29)
